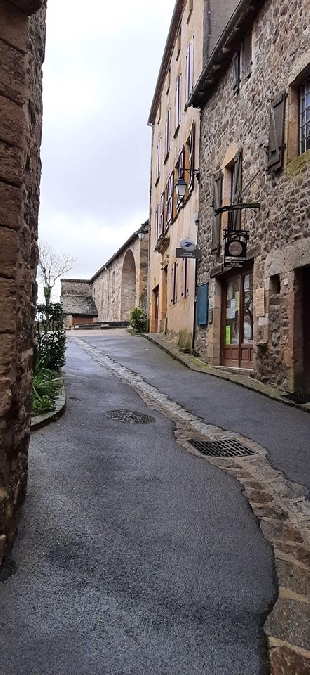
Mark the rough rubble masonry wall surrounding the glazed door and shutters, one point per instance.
(279, 243)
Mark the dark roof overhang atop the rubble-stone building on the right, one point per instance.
(221, 57)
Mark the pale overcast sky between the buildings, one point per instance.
(101, 66)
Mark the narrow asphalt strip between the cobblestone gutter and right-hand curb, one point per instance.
(284, 431)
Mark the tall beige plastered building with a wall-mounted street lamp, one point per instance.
(194, 30)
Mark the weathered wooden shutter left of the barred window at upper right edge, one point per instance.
(276, 133)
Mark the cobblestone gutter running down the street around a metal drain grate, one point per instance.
(283, 515)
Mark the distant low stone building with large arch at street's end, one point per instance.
(118, 285)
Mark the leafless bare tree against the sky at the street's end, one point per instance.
(51, 267)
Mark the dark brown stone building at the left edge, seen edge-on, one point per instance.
(22, 40)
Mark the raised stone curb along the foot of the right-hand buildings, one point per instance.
(196, 364)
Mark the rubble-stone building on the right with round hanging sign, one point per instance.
(254, 97)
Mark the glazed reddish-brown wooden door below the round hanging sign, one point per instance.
(237, 332)
